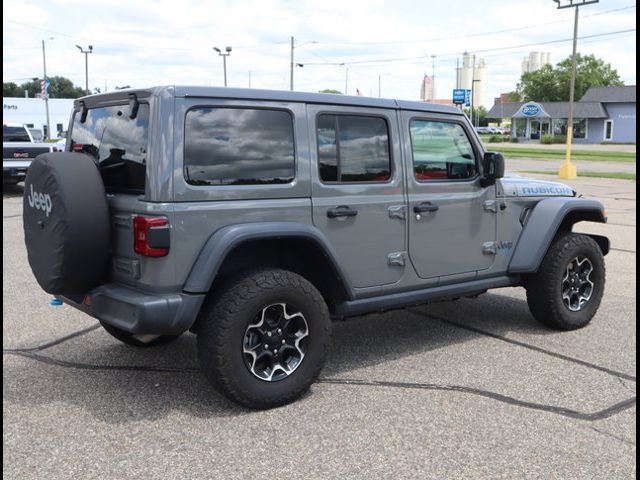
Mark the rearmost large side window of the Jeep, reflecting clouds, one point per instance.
(238, 146)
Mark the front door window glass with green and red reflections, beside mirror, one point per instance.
(441, 151)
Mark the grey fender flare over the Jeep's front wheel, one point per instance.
(542, 226)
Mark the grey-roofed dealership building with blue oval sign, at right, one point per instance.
(603, 114)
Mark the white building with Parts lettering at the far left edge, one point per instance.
(32, 112)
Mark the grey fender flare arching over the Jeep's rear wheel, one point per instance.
(223, 241)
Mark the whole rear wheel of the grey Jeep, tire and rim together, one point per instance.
(264, 338)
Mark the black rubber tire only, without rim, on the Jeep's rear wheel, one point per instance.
(223, 323)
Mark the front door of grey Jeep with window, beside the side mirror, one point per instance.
(452, 218)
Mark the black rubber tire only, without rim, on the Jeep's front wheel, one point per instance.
(544, 289)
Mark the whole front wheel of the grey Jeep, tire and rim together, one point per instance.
(566, 291)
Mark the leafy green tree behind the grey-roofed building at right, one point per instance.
(551, 84)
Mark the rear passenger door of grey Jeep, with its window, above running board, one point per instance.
(358, 198)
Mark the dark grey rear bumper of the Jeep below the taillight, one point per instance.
(139, 312)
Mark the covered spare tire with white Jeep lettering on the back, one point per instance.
(66, 222)
